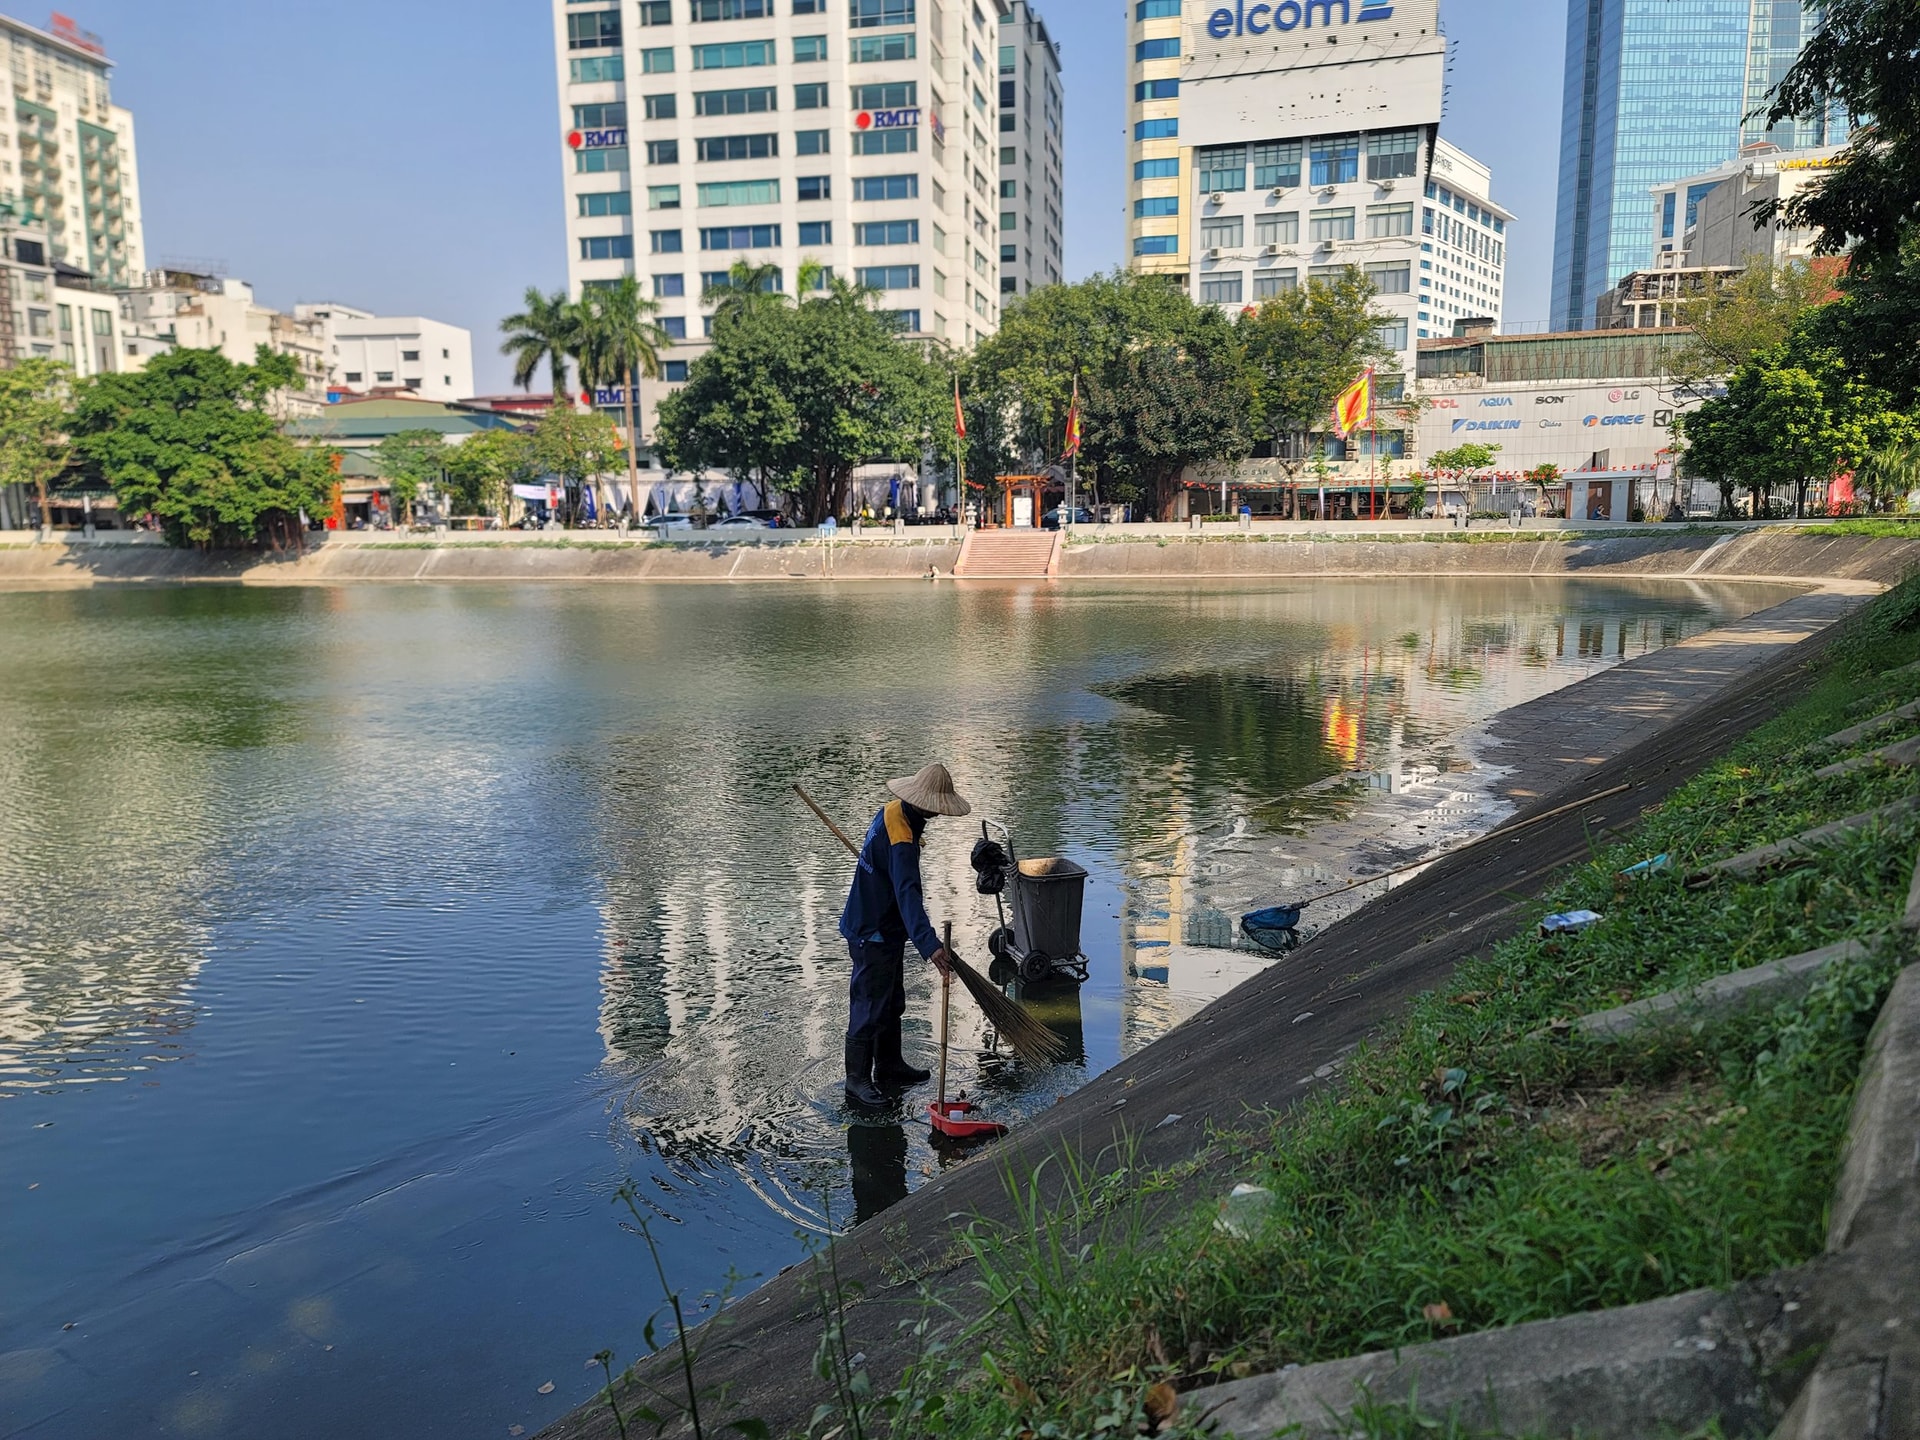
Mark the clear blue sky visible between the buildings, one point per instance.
(406, 155)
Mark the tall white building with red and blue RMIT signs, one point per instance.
(861, 135)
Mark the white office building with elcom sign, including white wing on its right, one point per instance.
(1310, 143)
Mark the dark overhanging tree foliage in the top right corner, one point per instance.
(1861, 62)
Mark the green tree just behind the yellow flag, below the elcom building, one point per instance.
(1305, 348)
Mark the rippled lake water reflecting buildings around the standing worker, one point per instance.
(360, 944)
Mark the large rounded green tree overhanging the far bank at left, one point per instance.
(191, 441)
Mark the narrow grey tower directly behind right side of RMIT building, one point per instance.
(1032, 137)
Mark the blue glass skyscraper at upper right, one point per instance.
(1660, 89)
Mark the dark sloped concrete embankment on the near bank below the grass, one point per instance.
(1621, 742)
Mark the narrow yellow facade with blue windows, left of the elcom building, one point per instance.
(1157, 241)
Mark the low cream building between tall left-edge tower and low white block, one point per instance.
(181, 310)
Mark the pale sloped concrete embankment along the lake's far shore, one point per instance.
(1804, 554)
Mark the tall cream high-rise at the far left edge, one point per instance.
(70, 197)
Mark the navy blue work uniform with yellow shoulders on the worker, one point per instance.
(884, 911)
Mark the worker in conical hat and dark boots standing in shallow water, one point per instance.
(884, 911)
